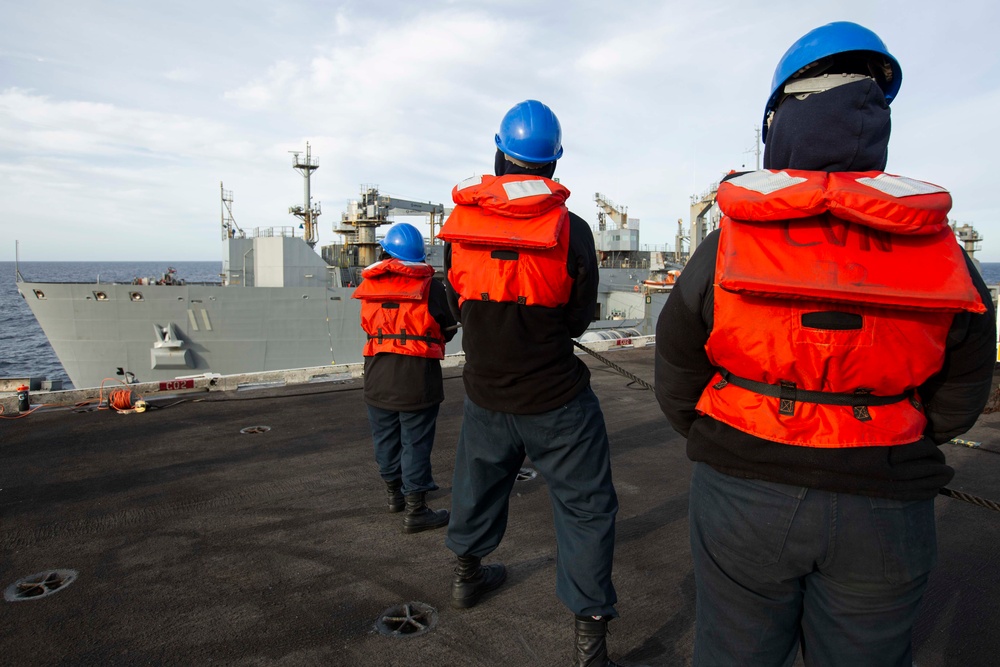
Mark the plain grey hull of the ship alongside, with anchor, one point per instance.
(103, 331)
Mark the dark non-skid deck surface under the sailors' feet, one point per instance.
(196, 544)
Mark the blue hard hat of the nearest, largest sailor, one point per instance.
(840, 37)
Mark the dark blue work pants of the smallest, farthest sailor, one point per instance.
(403, 444)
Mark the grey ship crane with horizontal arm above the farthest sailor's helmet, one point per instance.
(374, 209)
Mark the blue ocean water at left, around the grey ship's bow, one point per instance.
(24, 350)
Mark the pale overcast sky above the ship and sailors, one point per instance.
(118, 120)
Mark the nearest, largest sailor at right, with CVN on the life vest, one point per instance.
(815, 352)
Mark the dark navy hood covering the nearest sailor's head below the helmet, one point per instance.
(842, 129)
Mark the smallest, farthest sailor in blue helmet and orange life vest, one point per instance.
(405, 314)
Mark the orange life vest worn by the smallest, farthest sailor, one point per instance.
(394, 310)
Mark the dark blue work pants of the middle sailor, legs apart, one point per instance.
(569, 447)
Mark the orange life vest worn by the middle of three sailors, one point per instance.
(510, 241)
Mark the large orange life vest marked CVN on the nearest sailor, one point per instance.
(834, 296)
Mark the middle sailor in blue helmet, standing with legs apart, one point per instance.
(522, 277)
